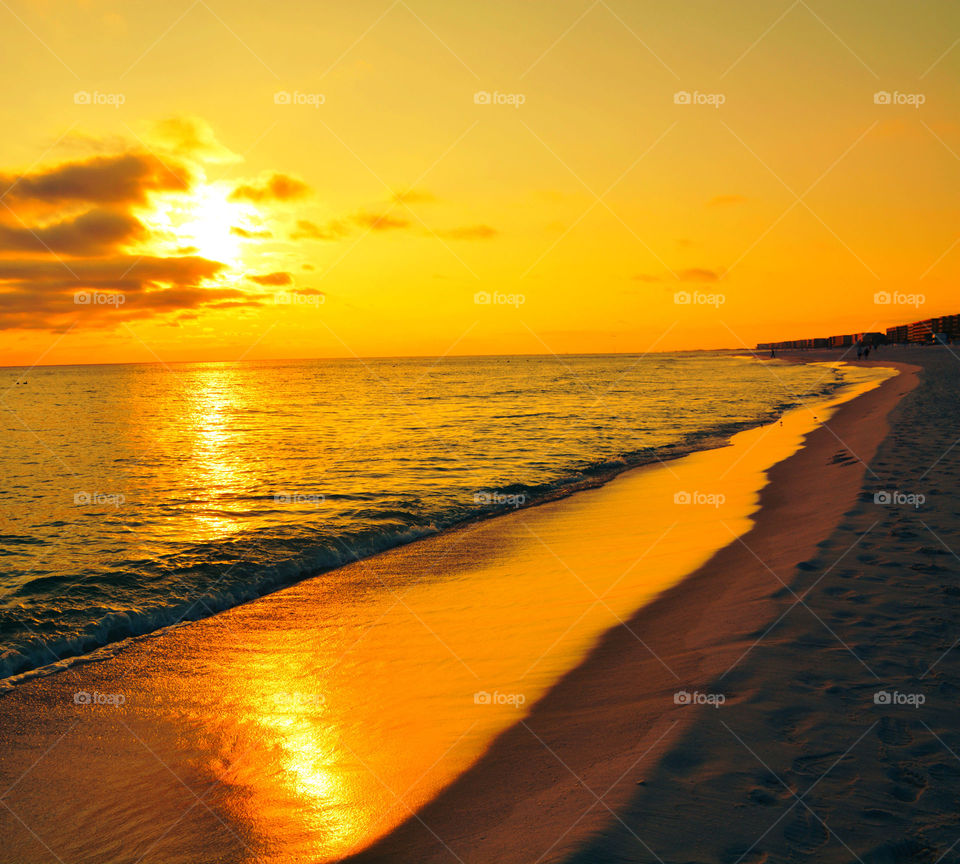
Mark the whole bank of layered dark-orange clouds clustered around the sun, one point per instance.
(70, 231)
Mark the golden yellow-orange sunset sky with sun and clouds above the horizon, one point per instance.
(203, 180)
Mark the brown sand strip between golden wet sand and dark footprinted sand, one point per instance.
(562, 775)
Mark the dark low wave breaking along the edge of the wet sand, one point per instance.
(257, 566)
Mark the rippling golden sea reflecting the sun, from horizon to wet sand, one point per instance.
(136, 497)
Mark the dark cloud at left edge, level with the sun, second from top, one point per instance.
(93, 233)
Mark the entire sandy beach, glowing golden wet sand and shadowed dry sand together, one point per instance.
(606, 732)
